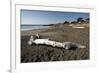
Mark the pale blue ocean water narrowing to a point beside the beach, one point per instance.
(30, 27)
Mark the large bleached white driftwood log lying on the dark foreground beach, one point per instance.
(66, 45)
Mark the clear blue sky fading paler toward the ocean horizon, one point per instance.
(49, 17)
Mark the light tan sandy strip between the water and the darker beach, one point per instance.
(40, 30)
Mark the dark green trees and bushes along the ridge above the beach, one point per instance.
(79, 20)
